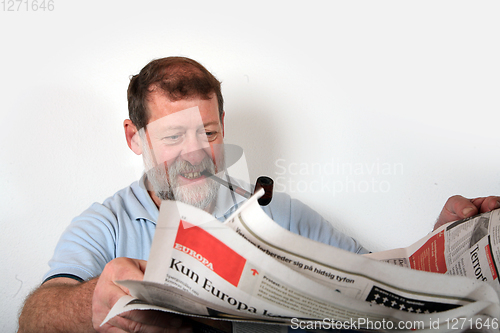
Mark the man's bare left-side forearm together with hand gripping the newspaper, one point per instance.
(66, 305)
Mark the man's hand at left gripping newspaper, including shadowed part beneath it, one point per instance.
(107, 293)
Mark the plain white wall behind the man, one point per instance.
(371, 112)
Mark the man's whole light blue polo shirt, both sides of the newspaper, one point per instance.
(124, 225)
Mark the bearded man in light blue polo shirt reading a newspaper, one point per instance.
(177, 124)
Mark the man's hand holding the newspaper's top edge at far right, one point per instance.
(458, 207)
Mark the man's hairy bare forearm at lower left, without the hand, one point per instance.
(59, 307)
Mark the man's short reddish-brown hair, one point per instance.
(178, 77)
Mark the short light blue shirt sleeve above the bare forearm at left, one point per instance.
(86, 245)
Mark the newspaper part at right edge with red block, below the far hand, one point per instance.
(469, 247)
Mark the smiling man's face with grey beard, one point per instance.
(182, 139)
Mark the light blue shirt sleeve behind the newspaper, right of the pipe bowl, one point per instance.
(299, 218)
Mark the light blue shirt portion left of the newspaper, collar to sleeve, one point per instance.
(121, 226)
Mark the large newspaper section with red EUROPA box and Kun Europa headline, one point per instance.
(249, 269)
